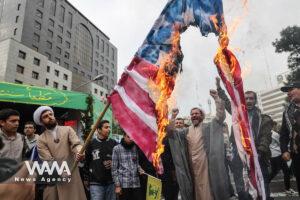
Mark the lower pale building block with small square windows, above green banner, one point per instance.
(20, 64)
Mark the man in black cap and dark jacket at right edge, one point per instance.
(290, 129)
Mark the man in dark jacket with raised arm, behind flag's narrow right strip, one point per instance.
(261, 126)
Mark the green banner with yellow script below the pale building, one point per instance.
(25, 94)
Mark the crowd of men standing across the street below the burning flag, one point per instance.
(201, 161)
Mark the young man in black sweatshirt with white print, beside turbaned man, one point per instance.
(98, 164)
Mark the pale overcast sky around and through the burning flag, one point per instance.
(127, 22)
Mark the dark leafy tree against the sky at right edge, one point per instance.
(289, 42)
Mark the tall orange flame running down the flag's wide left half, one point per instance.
(162, 88)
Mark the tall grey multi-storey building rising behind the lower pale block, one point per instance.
(57, 32)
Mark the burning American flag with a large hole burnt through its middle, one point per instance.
(139, 100)
